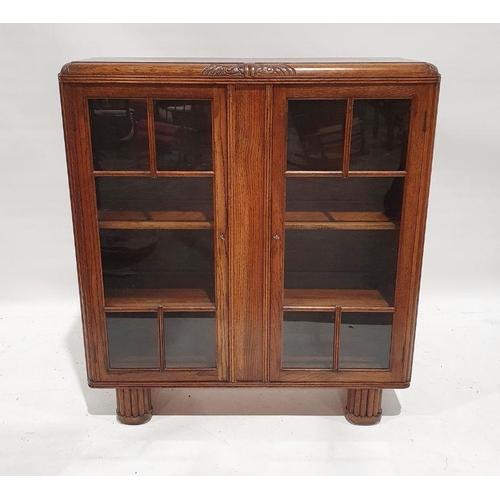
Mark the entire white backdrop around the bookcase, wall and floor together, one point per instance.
(442, 425)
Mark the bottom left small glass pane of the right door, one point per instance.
(308, 340)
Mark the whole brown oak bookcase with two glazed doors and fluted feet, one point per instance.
(249, 224)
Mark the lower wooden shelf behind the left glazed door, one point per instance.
(151, 299)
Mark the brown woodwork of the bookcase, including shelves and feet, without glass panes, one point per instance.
(249, 128)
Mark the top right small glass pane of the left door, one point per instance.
(183, 135)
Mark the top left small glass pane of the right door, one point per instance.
(316, 134)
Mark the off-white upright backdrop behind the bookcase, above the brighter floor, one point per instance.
(462, 252)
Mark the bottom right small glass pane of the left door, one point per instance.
(189, 340)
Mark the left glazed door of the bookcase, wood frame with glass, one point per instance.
(158, 197)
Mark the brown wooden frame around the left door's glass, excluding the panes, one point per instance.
(86, 229)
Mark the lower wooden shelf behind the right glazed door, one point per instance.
(326, 300)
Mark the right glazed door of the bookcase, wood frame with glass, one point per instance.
(339, 181)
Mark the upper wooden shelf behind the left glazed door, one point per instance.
(154, 220)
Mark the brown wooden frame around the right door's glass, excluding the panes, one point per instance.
(411, 230)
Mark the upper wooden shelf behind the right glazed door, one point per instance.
(338, 220)
